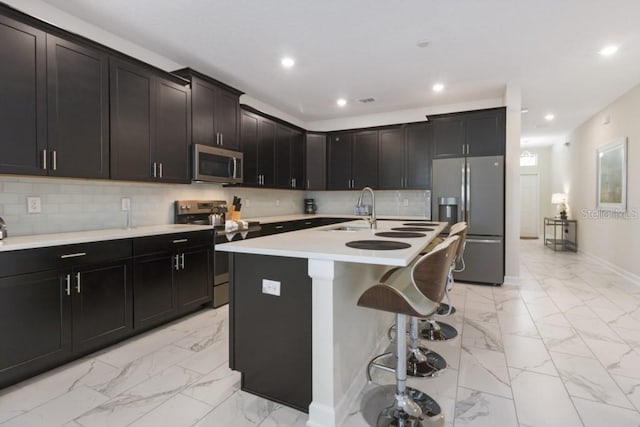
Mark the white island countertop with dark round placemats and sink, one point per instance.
(329, 244)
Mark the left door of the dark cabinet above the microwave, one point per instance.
(203, 114)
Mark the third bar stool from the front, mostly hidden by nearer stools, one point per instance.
(441, 331)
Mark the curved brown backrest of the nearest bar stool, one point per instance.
(430, 272)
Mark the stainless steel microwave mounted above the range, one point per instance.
(213, 164)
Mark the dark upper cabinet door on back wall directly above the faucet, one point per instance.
(365, 159)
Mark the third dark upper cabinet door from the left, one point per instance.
(132, 99)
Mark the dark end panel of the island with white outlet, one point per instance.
(271, 335)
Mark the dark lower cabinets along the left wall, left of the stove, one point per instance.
(59, 303)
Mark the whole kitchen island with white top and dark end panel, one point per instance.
(296, 333)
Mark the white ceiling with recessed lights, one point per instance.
(367, 48)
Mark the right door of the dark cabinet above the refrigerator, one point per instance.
(486, 132)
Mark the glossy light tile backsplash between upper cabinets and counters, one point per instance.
(77, 204)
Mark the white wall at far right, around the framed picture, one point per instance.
(614, 239)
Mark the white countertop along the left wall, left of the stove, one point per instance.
(59, 239)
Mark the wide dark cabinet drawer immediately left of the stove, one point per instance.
(169, 243)
